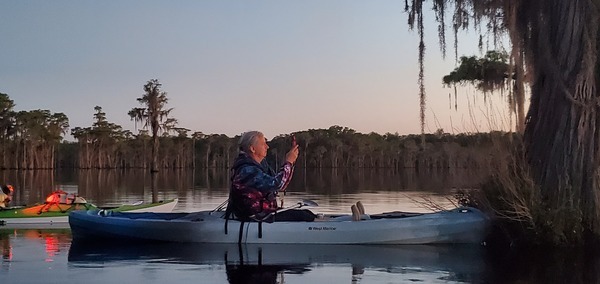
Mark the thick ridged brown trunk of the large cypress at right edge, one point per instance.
(562, 135)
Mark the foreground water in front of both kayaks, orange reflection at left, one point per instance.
(28, 256)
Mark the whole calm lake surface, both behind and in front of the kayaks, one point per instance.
(50, 256)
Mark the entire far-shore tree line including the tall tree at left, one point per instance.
(35, 140)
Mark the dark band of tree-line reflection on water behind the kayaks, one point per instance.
(114, 187)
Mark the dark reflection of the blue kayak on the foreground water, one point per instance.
(270, 263)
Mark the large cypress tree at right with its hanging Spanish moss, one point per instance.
(555, 46)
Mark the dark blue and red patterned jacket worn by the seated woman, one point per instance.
(254, 186)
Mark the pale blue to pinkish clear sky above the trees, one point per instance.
(231, 66)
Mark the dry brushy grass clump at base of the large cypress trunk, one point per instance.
(520, 213)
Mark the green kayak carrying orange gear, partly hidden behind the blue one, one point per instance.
(57, 214)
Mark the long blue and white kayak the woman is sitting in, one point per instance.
(460, 225)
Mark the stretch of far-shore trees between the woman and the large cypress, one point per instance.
(338, 146)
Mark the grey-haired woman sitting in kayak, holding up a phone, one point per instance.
(254, 185)
